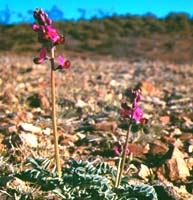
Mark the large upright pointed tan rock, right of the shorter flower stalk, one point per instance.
(177, 167)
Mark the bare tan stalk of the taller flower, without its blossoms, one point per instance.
(54, 125)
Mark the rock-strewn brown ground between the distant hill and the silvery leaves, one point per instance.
(88, 110)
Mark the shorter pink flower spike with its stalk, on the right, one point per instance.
(132, 113)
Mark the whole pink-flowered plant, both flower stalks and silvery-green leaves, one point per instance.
(81, 180)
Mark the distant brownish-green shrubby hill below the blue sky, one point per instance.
(132, 37)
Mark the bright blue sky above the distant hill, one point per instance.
(21, 10)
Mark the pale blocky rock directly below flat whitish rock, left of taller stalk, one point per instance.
(29, 139)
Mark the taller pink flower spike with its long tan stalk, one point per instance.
(50, 38)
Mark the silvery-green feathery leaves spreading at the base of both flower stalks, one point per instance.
(83, 180)
